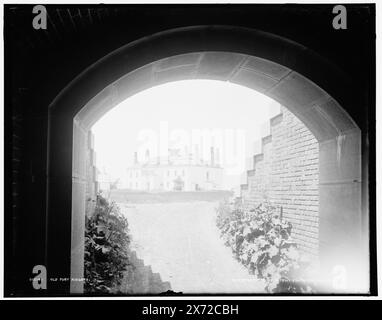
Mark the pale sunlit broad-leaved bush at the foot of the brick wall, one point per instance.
(262, 242)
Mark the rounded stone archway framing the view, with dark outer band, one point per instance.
(287, 72)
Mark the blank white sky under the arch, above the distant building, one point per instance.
(187, 105)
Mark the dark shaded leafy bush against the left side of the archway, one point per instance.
(106, 248)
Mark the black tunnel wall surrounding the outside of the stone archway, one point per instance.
(39, 64)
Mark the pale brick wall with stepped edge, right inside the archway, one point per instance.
(286, 174)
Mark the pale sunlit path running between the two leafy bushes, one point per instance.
(181, 242)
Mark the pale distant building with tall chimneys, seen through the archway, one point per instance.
(175, 174)
